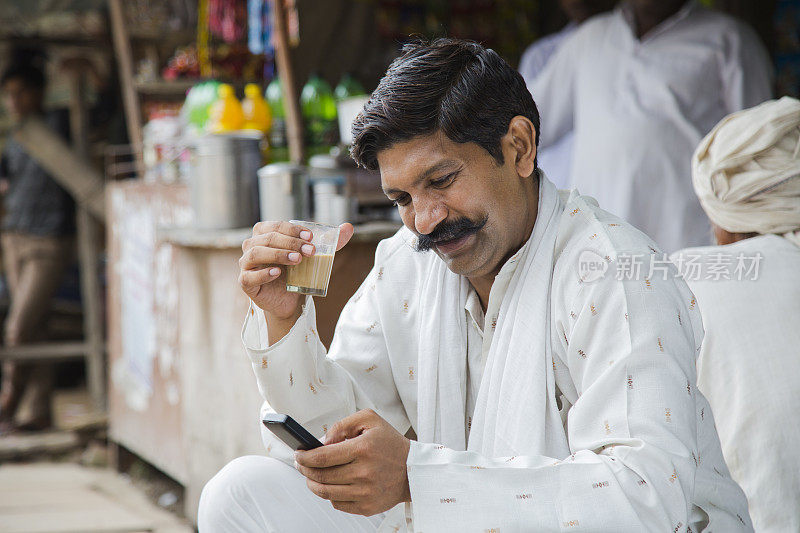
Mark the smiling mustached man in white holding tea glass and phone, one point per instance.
(546, 394)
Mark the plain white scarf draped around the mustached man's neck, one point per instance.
(516, 411)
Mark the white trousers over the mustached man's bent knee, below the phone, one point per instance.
(258, 494)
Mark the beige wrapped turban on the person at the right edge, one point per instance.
(746, 172)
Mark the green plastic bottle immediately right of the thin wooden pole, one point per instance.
(318, 107)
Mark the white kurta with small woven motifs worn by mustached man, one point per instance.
(634, 447)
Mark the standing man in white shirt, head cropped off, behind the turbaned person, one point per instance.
(640, 87)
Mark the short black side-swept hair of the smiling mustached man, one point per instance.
(460, 88)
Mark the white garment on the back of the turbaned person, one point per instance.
(748, 369)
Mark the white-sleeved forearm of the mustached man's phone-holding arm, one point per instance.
(457, 489)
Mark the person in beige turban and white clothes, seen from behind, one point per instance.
(746, 173)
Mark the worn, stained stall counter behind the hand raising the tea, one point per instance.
(182, 392)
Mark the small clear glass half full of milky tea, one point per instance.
(312, 274)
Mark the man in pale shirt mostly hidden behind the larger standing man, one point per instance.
(556, 159)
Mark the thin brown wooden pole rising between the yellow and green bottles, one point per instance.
(294, 121)
